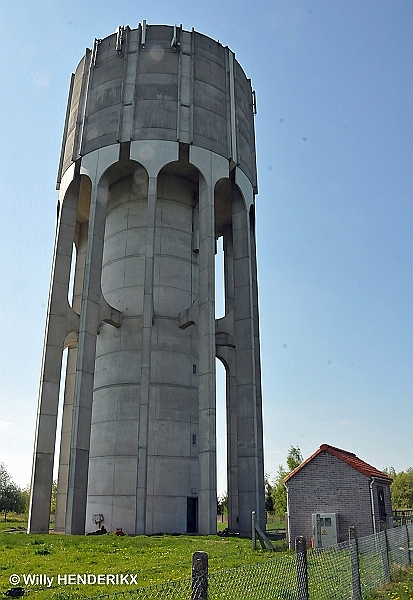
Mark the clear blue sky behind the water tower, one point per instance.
(334, 84)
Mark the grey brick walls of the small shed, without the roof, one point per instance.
(327, 484)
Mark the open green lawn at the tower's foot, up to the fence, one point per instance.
(156, 559)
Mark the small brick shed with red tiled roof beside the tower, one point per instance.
(337, 486)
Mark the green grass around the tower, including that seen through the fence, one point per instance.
(148, 560)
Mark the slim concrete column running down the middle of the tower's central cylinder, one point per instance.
(143, 426)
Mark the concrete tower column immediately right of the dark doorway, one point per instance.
(207, 492)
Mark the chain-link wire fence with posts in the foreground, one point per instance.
(348, 571)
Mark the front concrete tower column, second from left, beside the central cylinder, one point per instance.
(83, 393)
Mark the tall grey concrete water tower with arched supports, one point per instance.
(157, 163)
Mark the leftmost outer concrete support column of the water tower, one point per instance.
(56, 330)
